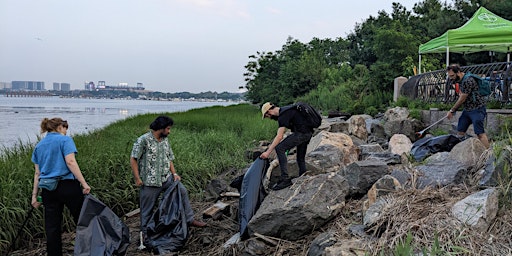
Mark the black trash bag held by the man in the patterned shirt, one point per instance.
(167, 230)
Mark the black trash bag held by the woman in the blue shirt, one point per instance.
(100, 231)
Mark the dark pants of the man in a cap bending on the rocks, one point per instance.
(299, 140)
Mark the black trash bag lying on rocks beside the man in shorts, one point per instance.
(425, 147)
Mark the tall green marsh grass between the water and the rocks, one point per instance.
(205, 142)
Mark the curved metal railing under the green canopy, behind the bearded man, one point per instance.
(435, 86)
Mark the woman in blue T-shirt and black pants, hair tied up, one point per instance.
(54, 158)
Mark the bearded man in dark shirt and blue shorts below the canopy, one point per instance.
(474, 111)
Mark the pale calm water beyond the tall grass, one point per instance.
(21, 117)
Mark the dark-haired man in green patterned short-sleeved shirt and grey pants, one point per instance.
(151, 160)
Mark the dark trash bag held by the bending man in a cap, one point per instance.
(252, 193)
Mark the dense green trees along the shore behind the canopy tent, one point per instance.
(355, 74)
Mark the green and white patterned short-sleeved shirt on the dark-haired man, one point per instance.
(153, 158)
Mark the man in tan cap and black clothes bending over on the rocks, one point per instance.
(291, 118)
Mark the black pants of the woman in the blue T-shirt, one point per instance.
(68, 193)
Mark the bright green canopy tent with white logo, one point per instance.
(485, 31)
